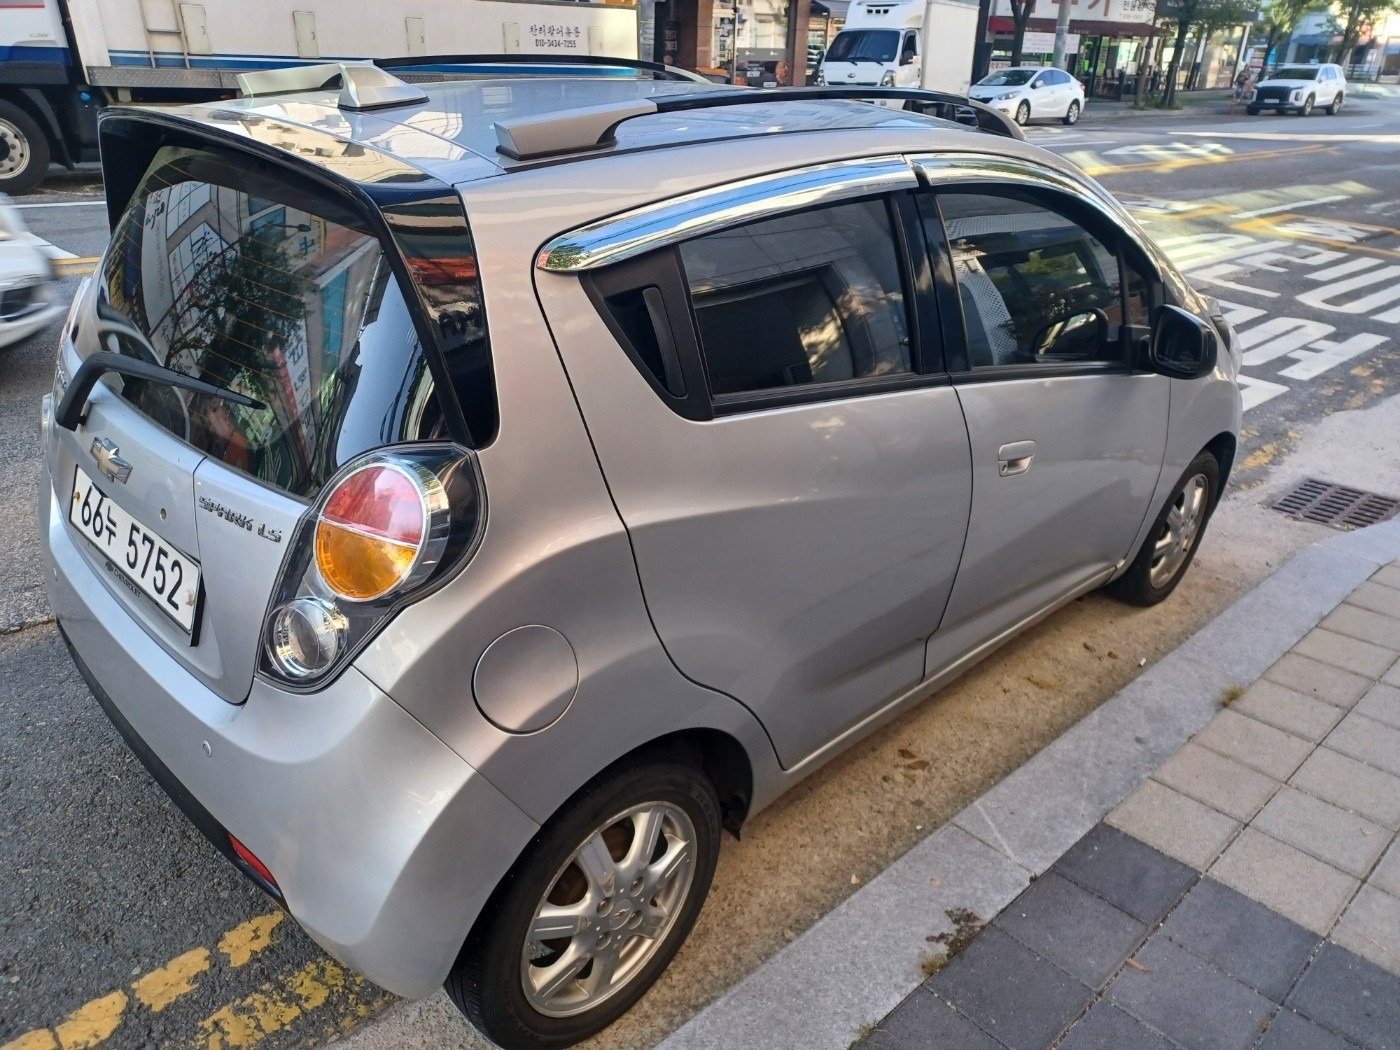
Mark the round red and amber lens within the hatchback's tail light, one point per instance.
(370, 533)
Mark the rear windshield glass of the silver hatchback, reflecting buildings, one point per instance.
(268, 286)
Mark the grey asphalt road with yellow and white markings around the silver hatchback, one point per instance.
(121, 927)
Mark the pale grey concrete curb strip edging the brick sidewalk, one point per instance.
(859, 962)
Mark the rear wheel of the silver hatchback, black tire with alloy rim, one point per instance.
(500, 979)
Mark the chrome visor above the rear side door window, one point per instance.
(654, 226)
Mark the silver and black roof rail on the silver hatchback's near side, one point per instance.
(594, 128)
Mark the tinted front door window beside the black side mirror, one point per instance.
(1035, 286)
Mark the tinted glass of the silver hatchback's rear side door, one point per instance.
(813, 297)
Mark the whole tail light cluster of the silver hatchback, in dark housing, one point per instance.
(386, 531)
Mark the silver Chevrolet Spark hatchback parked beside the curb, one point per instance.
(471, 498)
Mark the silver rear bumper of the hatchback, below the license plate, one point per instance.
(383, 842)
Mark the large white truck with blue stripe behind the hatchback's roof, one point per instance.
(62, 61)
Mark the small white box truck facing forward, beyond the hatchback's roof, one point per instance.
(885, 44)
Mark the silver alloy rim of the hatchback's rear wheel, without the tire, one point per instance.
(608, 909)
